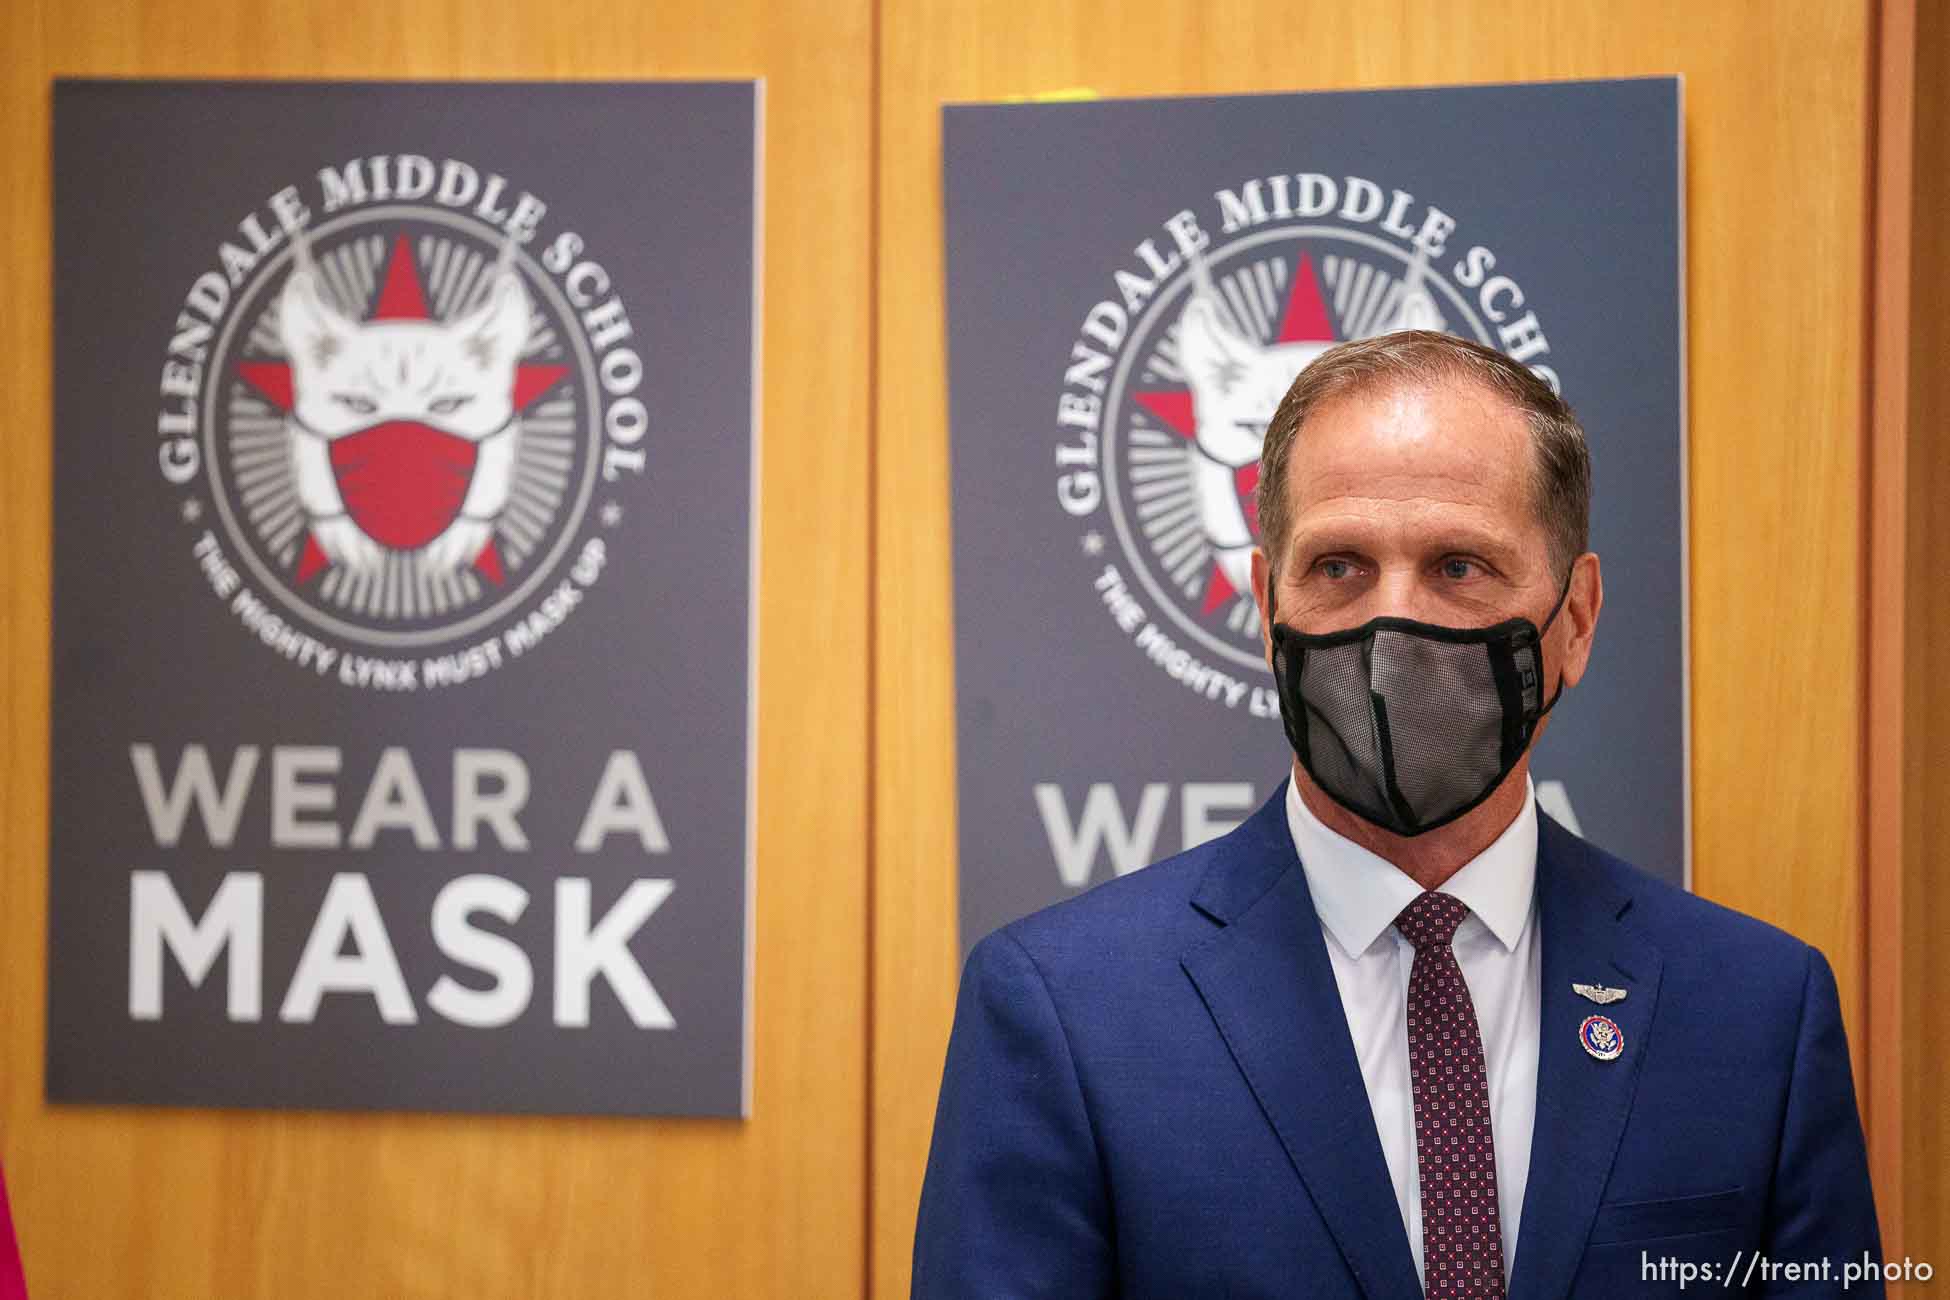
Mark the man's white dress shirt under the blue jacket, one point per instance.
(1358, 898)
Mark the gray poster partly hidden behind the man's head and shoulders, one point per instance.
(1112, 699)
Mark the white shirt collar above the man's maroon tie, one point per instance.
(1358, 894)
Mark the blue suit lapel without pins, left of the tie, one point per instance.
(1268, 985)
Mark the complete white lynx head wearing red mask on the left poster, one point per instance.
(403, 432)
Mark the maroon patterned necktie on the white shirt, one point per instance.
(1462, 1241)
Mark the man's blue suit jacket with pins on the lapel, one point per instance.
(1151, 1092)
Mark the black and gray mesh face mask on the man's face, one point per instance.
(1409, 724)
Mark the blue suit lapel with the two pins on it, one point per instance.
(1582, 1102)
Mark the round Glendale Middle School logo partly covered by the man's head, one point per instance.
(1175, 379)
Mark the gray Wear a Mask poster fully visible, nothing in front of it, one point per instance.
(405, 449)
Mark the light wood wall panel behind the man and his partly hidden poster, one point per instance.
(1777, 132)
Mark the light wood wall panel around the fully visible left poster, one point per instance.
(128, 1204)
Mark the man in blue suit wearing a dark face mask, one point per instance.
(1401, 1034)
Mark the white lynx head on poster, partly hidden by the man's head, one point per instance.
(1237, 385)
